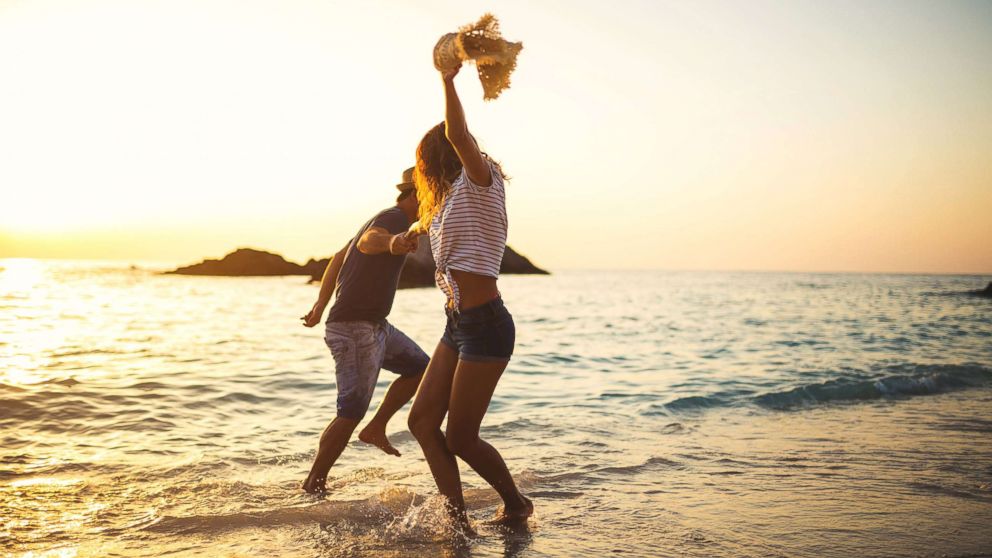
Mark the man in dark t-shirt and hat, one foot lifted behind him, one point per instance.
(364, 274)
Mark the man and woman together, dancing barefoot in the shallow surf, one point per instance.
(456, 197)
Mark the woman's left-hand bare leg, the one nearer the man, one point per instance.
(429, 407)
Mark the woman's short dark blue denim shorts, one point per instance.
(482, 333)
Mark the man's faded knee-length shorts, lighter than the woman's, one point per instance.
(360, 349)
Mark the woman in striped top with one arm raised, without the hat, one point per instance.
(462, 209)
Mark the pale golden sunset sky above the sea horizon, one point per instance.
(787, 136)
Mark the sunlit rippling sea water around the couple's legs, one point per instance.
(646, 413)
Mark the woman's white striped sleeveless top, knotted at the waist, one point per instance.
(469, 232)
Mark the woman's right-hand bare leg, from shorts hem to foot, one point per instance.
(471, 391)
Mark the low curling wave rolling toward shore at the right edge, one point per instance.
(907, 382)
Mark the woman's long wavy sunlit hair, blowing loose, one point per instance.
(437, 167)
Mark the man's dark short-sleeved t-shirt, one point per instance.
(367, 283)
